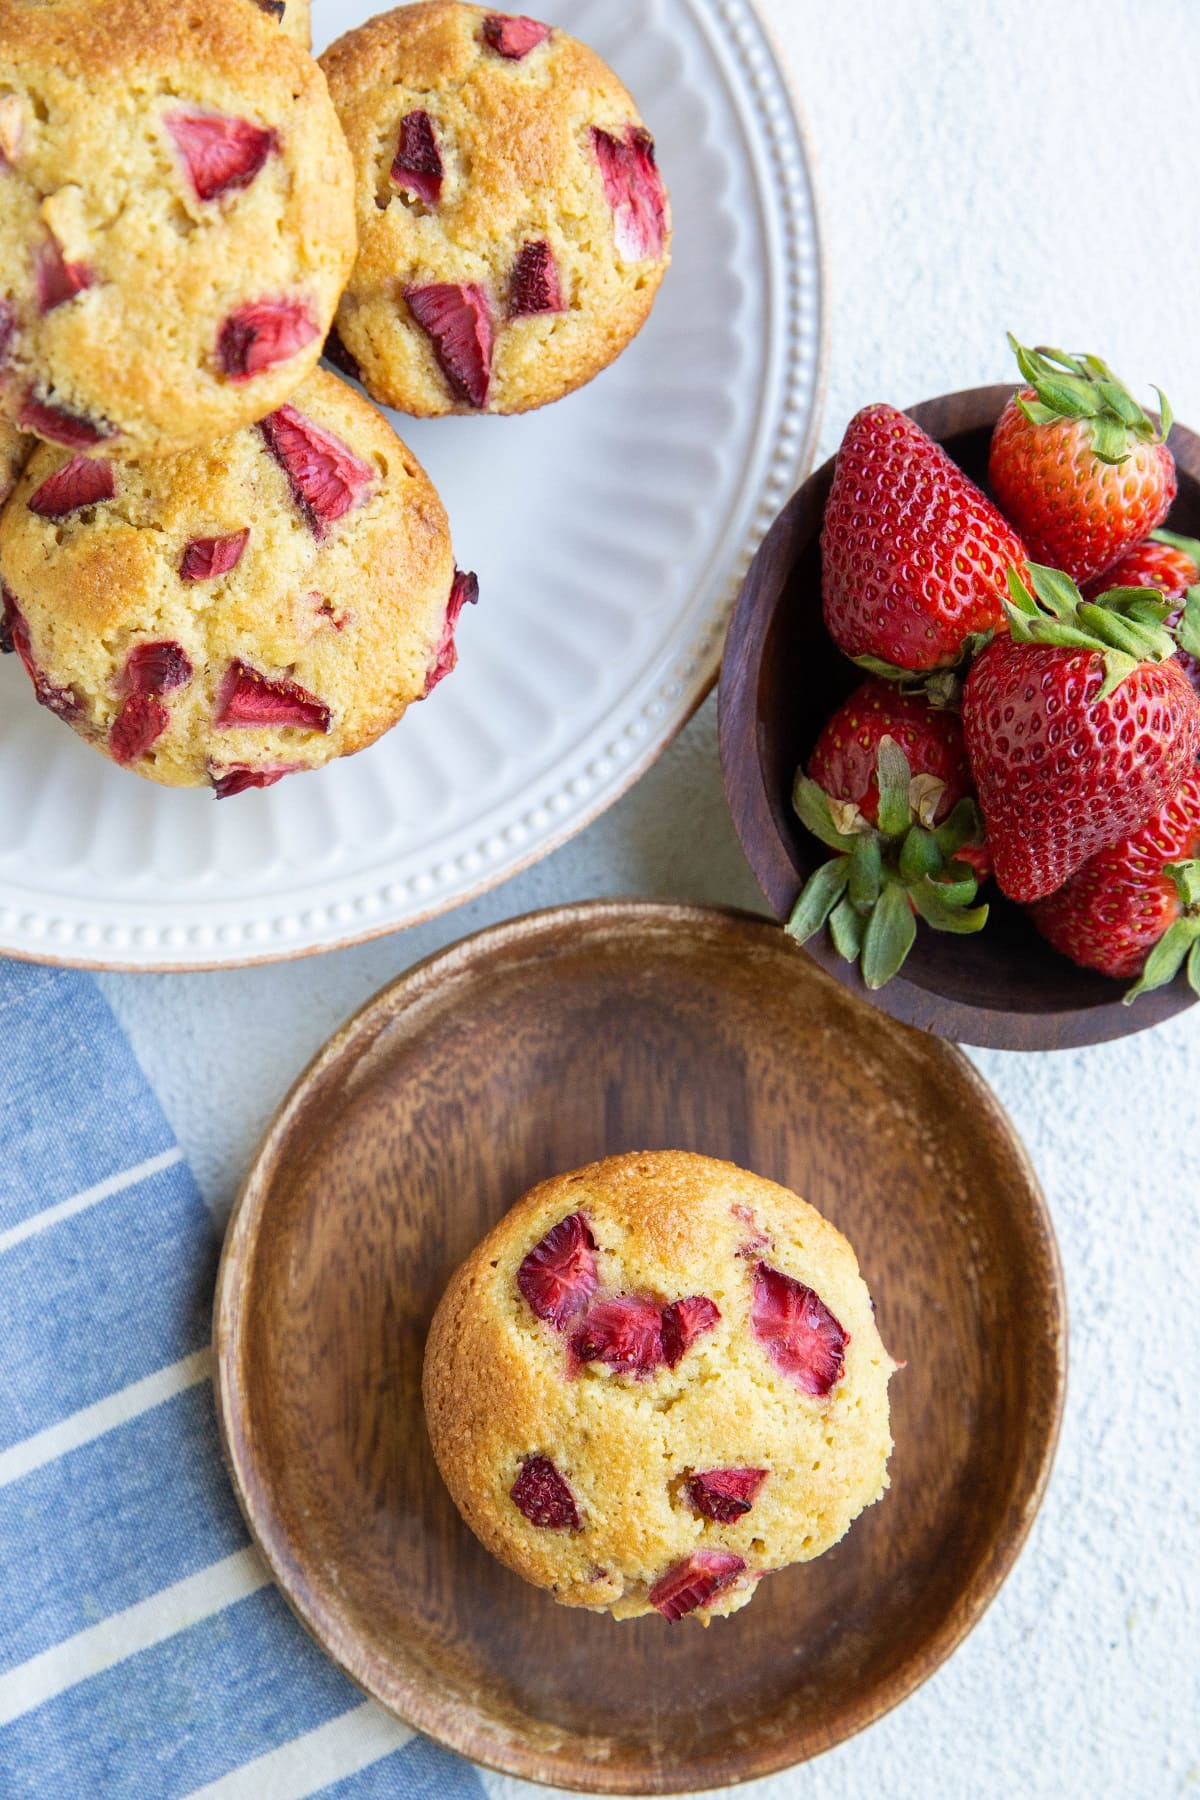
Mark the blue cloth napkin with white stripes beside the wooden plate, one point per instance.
(143, 1650)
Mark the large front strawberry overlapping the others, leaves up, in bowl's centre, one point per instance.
(1079, 726)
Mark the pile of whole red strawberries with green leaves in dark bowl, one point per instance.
(1032, 706)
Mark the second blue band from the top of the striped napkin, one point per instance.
(103, 1299)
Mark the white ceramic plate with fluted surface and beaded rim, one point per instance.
(609, 532)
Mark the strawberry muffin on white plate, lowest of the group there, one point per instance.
(240, 613)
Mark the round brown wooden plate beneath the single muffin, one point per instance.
(533, 1048)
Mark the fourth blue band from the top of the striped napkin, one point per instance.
(179, 1714)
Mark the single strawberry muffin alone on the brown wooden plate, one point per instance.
(658, 1381)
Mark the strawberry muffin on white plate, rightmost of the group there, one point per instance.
(514, 226)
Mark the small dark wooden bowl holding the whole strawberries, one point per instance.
(784, 678)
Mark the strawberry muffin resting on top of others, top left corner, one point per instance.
(175, 220)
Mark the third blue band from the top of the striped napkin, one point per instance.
(112, 1524)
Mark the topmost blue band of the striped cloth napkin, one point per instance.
(75, 1106)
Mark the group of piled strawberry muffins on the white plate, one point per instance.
(220, 564)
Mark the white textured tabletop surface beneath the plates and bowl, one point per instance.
(983, 165)
